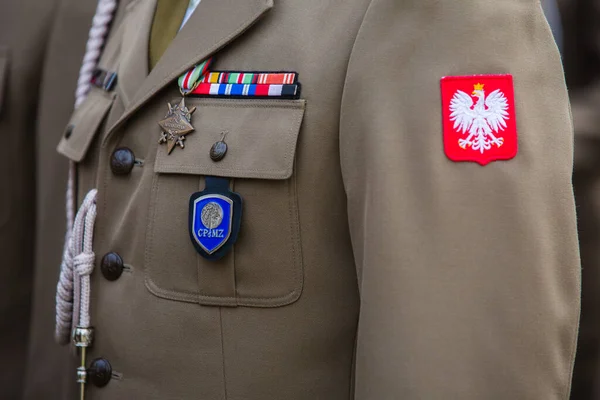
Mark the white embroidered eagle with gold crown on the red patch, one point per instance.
(483, 121)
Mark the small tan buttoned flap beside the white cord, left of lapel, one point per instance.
(84, 124)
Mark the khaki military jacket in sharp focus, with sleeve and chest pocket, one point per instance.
(368, 265)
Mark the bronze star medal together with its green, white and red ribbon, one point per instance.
(178, 121)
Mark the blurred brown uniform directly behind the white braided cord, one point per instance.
(49, 373)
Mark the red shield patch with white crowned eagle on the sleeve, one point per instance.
(479, 118)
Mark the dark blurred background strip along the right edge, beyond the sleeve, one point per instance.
(581, 57)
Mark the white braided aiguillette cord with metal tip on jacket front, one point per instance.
(73, 290)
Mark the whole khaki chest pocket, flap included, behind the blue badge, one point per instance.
(264, 268)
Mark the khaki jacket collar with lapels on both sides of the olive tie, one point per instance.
(213, 25)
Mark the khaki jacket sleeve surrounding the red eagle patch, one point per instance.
(469, 275)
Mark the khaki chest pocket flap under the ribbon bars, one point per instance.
(261, 139)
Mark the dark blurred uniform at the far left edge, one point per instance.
(24, 25)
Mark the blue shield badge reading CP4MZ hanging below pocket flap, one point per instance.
(215, 218)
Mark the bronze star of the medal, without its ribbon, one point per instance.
(176, 125)
